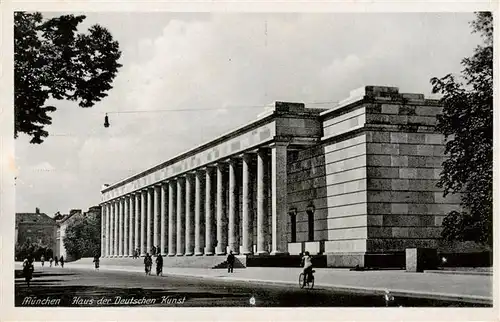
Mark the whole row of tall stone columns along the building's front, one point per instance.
(178, 215)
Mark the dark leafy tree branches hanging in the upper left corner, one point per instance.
(53, 60)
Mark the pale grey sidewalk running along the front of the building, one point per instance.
(468, 288)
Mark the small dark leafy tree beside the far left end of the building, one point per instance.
(83, 236)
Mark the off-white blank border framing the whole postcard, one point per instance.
(7, 197)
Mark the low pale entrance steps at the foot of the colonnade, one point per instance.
(215, 262)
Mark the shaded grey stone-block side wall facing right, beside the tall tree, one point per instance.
(404, 157)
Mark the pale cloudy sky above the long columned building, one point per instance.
(233, 65)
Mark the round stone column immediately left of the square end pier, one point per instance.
(262, 209)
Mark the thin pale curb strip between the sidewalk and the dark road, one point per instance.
(476, 299)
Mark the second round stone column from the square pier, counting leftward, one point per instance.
(247, 212)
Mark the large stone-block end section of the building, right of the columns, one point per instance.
(372, 179)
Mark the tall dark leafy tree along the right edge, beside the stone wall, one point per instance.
(467, 124)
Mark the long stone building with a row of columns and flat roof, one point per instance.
(355, 183)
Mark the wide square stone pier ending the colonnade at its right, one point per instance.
(279, 194)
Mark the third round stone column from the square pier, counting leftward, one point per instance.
(233, 229)
